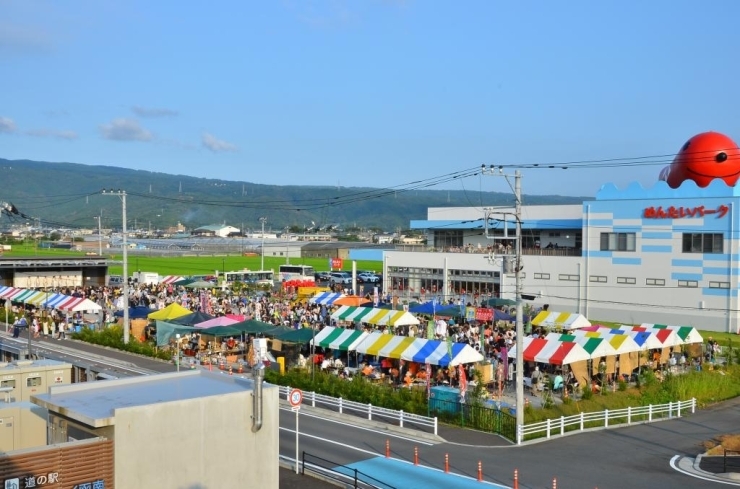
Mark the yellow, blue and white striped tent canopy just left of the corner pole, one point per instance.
(434, 352)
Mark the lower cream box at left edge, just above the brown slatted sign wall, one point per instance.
(22, 425)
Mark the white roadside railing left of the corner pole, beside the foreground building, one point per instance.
(343, 406)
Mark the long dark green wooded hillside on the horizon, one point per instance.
(68, 194)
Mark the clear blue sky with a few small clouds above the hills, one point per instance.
(366, 93)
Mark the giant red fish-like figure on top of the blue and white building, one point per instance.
(703, 158)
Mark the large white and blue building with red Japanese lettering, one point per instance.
(637, 255)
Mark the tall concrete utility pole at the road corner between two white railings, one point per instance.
(518, 266)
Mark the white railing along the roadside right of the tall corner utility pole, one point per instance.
(606, 418)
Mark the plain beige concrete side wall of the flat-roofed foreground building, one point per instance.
(198, 443)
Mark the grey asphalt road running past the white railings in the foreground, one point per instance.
(635, 457)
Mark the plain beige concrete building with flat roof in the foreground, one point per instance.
(185, 429)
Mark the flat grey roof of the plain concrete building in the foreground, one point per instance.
(95, 403)
